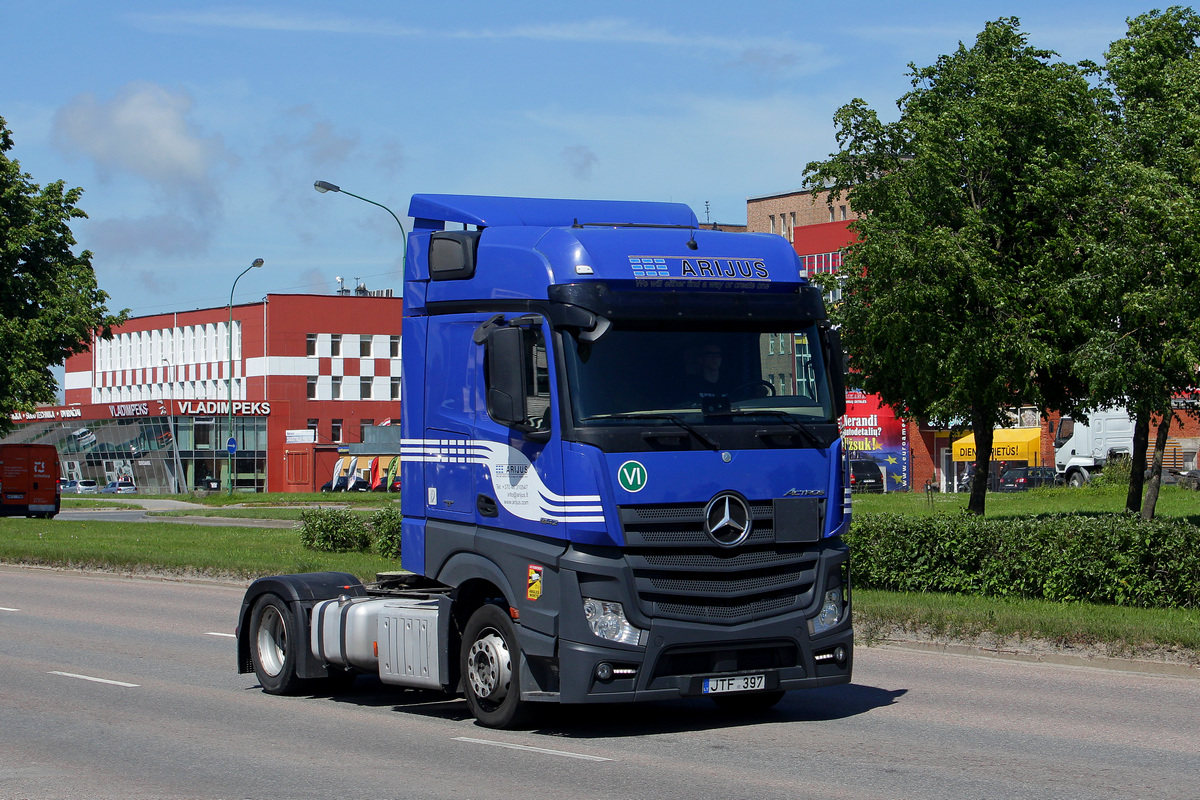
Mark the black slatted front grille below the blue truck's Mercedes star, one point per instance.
(681, 574)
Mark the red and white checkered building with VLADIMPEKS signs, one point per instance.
(310, 375)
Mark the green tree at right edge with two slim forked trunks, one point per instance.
(1148, 237)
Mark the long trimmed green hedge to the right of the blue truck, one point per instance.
(1102, 560)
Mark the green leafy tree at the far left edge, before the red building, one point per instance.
(50, 303)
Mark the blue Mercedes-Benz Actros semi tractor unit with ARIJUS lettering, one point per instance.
(622, 477)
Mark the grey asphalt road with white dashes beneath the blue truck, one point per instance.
(124, 688)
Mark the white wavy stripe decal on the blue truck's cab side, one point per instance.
(518, 486)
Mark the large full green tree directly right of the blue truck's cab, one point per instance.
(961, 288)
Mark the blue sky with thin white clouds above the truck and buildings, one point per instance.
(197, 130)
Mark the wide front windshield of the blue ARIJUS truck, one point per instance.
(699, 376)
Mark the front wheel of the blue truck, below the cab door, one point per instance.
(491, 673)
